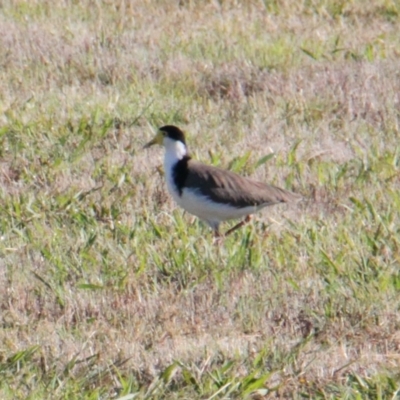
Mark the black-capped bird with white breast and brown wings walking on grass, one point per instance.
(210, 193)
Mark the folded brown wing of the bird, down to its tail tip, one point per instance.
(227, 187)
